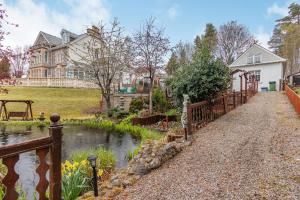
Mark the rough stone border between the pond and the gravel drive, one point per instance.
(151, 156)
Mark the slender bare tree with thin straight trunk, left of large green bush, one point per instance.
(151, 47)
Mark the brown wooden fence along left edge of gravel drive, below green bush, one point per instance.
(201, 113)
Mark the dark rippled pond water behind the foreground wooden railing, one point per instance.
(74, 138)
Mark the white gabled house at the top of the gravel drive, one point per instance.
(265, 65)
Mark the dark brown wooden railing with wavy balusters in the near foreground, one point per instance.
(52, 144)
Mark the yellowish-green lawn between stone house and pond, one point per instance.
(70, 103)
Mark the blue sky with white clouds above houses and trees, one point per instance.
(182, 19)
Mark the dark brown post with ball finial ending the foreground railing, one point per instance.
(55, 131)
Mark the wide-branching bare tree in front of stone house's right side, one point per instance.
(103, 56)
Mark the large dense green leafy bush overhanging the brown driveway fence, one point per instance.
(204, 78)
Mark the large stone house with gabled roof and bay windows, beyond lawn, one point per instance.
(50, 55)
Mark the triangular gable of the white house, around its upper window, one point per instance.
(271, 57)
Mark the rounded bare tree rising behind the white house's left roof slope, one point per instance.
(233, 40)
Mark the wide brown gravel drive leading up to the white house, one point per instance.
(253, 152)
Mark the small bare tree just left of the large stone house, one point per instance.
(18, 60)
